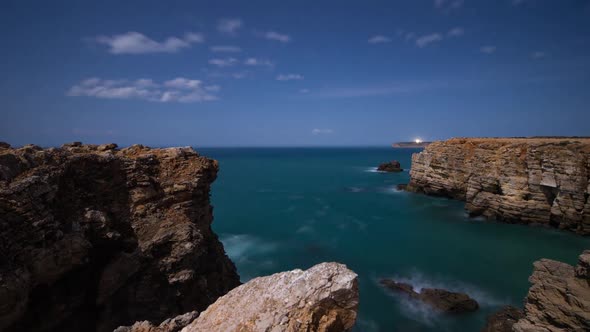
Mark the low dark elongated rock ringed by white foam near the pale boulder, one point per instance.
(440, 299)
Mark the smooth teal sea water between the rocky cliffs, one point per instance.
(278, 209)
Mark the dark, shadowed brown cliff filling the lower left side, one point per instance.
(92, 237)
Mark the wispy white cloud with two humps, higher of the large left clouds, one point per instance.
(136, 43)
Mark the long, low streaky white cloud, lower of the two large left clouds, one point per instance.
(179, 89)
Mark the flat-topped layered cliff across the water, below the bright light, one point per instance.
(540, 181)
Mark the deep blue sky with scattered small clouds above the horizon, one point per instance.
(291, 73)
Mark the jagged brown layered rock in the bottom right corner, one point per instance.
(559, 298)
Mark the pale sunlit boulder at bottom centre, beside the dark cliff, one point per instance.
(323, 298)
